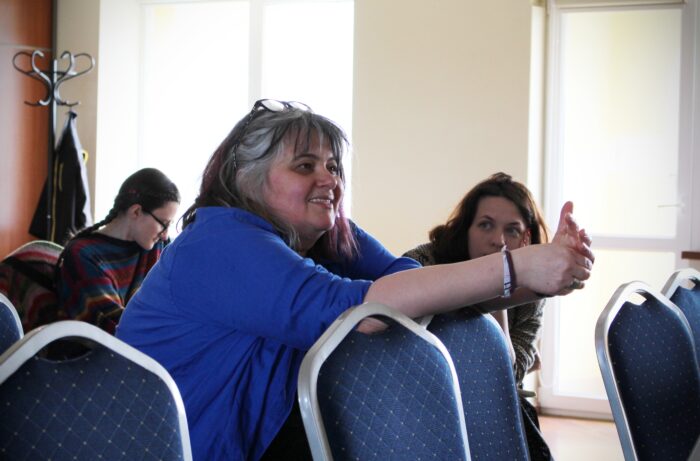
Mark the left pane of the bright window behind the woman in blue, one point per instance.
(194, 86)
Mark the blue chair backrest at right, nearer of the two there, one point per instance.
(647, 358)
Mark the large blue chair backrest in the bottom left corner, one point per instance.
(113, 402)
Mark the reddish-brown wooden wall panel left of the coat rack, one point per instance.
(24, 25)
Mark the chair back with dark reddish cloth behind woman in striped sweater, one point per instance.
(27, 279)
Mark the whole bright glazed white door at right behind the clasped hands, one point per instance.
(614, 147)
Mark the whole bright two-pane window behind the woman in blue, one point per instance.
(204, 63)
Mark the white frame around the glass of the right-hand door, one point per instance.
(551, 399)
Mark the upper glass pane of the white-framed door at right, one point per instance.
(620, 94)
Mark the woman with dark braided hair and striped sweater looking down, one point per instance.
(103, 265)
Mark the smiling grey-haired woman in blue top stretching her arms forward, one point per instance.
(268, 260)
